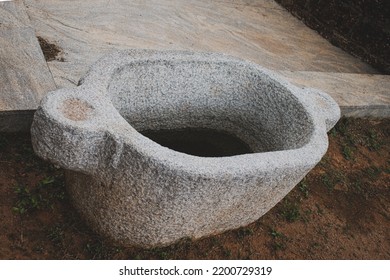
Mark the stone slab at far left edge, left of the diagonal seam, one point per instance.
(24, 75)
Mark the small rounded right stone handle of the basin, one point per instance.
(323, 106)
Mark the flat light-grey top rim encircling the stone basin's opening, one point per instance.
(108, 120)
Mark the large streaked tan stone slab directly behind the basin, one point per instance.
(258, 31)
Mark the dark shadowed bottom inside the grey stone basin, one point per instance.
(199, 142)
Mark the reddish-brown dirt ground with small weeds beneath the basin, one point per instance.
(341, 210)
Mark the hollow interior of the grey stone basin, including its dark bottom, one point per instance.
(209, 108)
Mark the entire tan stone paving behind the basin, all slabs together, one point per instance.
(259, 31)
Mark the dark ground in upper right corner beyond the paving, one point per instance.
(360, 27)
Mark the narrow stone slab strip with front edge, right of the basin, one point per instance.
(358, 95)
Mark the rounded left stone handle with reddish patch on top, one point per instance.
(67, 132)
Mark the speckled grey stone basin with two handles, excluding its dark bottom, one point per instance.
(138, 192)
